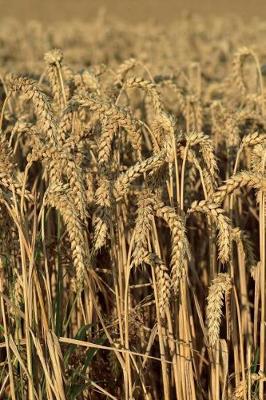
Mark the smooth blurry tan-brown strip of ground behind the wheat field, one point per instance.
(131, 10)
